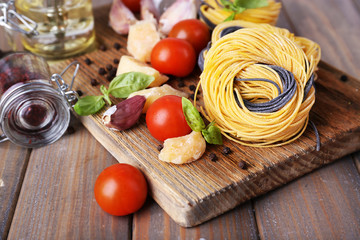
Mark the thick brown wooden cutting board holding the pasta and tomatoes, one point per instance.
(199, 191)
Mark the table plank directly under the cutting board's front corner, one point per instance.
(153, 223)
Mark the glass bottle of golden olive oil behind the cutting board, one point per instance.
(66, 27)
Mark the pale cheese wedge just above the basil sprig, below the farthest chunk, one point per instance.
(130, 64)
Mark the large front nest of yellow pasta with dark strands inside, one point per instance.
(257, 83)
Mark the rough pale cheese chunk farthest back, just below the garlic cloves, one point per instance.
(141, 39)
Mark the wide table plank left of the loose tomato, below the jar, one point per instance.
(57, 201)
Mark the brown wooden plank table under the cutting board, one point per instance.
(47, 193)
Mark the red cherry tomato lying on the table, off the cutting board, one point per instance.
(120, 189)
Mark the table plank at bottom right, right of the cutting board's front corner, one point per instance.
(301, 210)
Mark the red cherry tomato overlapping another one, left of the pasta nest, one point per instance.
(173, 56)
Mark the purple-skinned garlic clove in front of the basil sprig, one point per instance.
(124, 114)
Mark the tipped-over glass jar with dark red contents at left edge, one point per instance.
(33, 112)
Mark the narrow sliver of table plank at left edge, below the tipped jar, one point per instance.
(13, 165)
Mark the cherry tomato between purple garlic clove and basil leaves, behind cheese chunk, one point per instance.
(165, 118)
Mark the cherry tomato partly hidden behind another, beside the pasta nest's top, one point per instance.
(194, 31)
